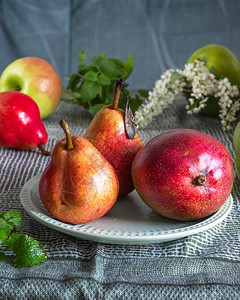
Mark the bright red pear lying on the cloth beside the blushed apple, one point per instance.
(20, 124)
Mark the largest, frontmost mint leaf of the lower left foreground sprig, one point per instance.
(28, 252)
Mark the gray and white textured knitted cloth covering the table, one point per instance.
(202, 266)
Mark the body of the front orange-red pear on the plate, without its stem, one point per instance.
(78, 186)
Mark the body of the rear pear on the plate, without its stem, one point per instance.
(108, 134)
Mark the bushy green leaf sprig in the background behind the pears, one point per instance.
(93, 85)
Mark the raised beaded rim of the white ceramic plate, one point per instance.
(169, 235)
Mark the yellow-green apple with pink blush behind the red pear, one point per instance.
(36, 78)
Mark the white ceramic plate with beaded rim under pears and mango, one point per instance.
(130, 221)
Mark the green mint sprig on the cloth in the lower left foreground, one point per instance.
(27, 250)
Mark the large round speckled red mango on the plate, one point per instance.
(164, 168)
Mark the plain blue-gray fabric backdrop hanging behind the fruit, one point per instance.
(161, 34)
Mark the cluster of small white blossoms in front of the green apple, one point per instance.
(200, 84)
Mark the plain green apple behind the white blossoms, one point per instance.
(222, 62)
